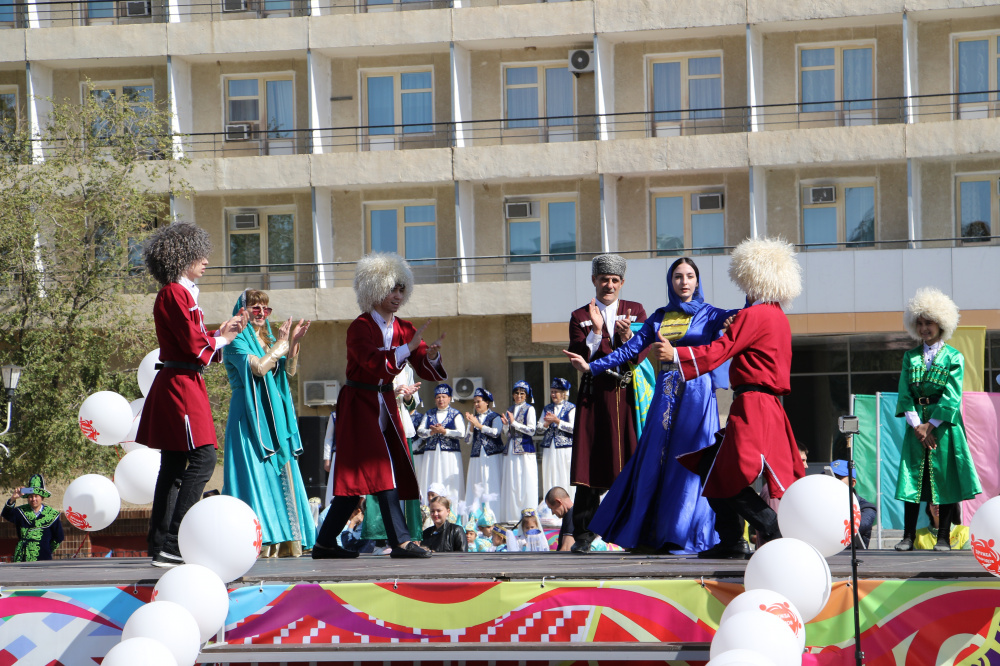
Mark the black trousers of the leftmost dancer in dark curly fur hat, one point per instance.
(188, 472)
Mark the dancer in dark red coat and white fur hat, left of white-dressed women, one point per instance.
(373, 457)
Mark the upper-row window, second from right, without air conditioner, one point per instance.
(839, 80)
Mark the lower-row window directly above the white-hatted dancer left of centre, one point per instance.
(414, 223)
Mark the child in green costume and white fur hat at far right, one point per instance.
(935, 464)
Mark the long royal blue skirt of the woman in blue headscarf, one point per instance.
(655, 501)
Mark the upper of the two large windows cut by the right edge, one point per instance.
(977, 76)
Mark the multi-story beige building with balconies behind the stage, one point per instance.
(499, 145)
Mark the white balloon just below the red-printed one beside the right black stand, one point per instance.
(793, 568)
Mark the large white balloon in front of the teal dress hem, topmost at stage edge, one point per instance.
(221, 533)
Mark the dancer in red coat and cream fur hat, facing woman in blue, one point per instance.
(758, 437)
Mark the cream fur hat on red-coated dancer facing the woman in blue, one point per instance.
(766, 269)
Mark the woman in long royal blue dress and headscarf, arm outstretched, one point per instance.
(655, 502)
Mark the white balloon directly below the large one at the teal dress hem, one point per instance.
(200, 591)
